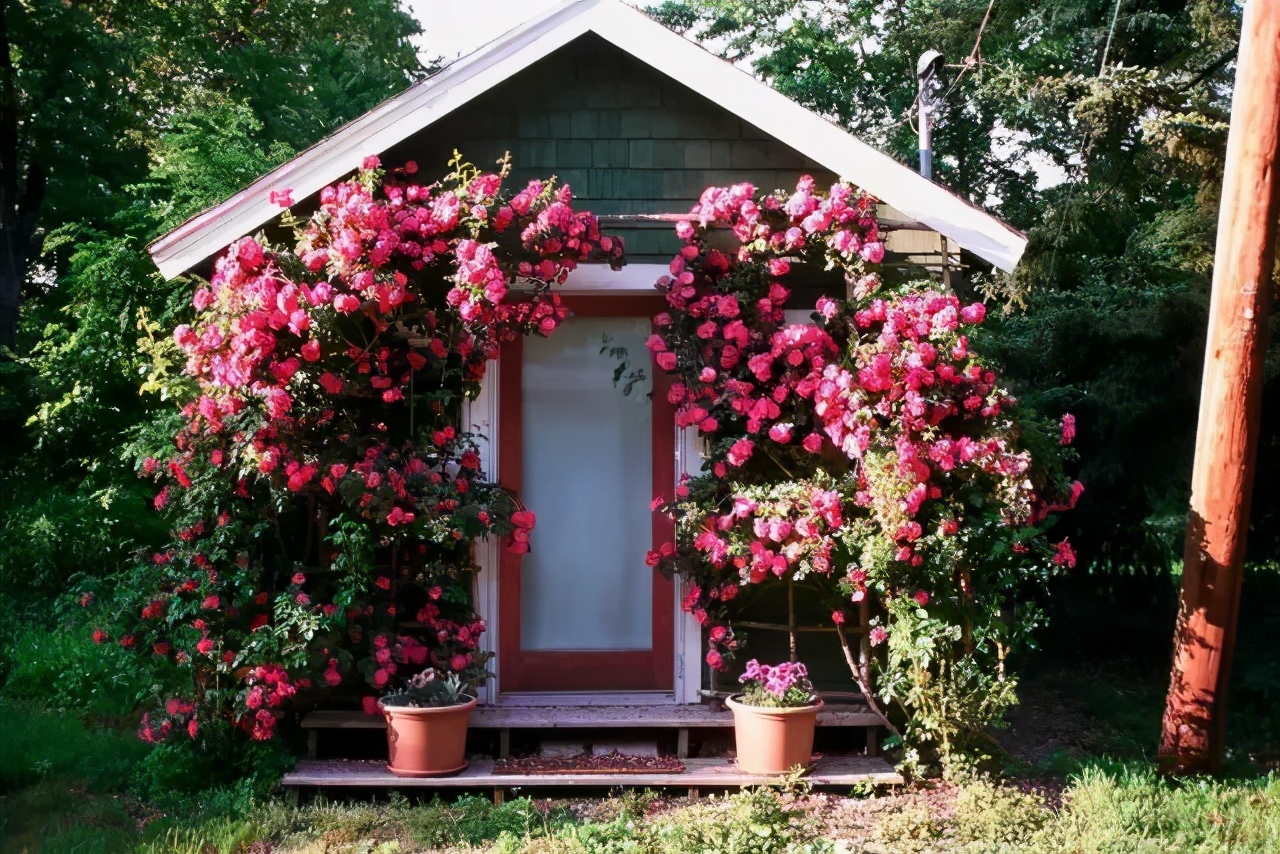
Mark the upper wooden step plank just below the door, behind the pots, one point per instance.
(588, 718)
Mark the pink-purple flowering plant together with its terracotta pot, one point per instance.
(774, 718)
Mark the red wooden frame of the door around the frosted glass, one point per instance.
(627, 670)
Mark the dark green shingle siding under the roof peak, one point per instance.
(627, 138)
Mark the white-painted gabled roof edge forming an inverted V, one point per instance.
(632, 31)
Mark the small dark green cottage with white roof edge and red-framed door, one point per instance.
(639, 121)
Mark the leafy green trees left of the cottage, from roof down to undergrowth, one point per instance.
(139, 115)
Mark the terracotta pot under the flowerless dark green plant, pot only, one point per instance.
(427, 742)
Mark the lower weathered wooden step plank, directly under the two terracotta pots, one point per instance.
(371, 774)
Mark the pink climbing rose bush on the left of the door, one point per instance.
(324, 499)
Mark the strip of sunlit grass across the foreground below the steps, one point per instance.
(1122, 809)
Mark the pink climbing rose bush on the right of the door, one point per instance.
(868, 454)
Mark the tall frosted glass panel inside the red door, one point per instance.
(588, 474)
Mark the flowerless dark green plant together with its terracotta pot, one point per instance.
(427, 727)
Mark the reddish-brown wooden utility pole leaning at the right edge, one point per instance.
(1227, 435)
